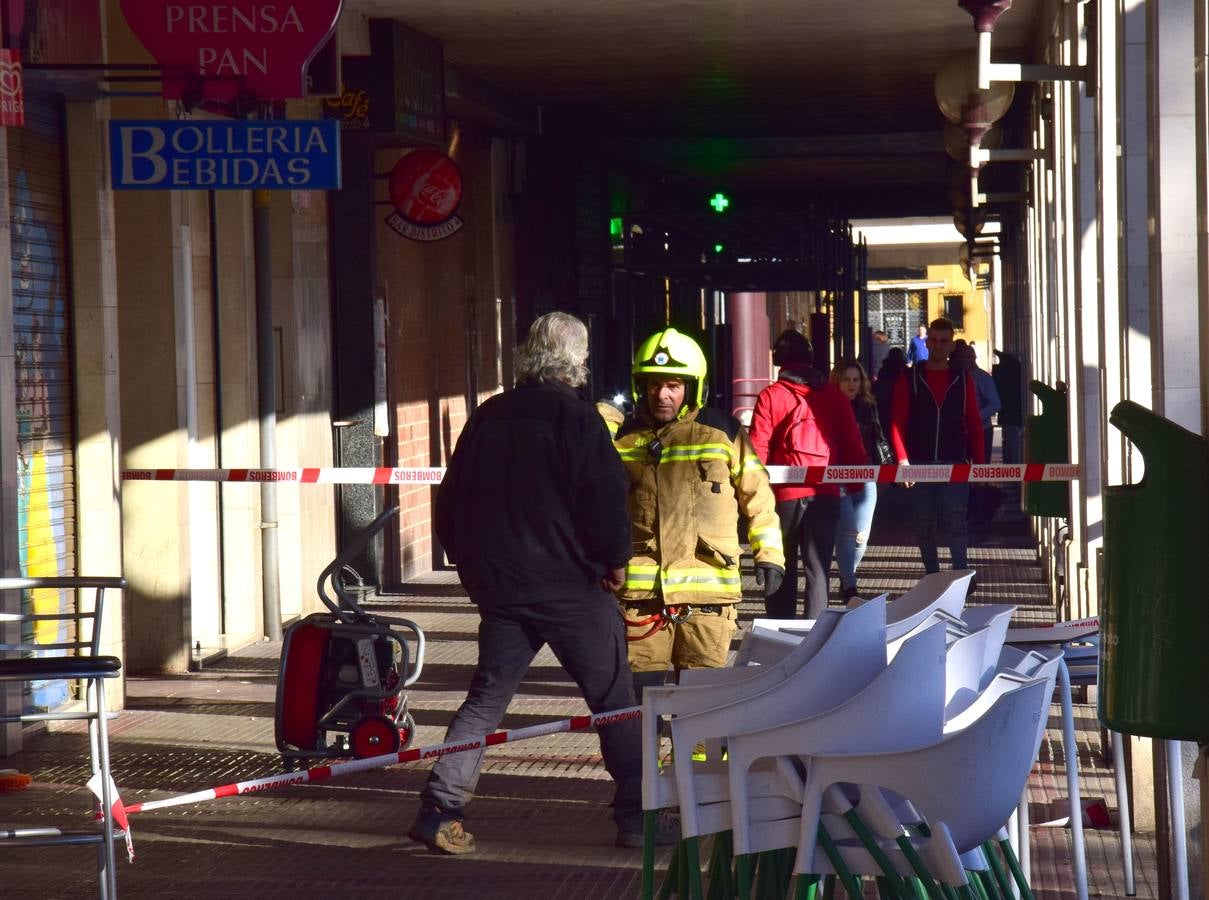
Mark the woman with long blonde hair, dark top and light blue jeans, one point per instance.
(857, 507)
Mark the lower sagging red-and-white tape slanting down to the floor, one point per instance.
(322, 774)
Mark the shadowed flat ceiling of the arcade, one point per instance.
(790, 101)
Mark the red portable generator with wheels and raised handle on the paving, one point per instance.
(340, 688)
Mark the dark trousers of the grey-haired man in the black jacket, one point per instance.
(587, 634)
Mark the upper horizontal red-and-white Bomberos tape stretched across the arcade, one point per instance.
(778, 475)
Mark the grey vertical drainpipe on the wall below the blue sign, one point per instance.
(267, 400)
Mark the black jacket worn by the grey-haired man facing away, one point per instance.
(533, 506)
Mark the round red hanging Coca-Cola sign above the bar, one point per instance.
(426, 191)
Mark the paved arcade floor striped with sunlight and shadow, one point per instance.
(540, 817)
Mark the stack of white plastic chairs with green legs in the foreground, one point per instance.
(918, 680)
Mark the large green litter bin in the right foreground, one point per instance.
(1155, 616)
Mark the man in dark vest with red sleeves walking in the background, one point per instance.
(935, 419)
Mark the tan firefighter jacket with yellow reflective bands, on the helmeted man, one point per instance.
(690, 482)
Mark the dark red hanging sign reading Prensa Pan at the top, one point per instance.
(223, 50)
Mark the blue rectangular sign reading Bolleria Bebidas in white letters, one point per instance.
(224, 155)
